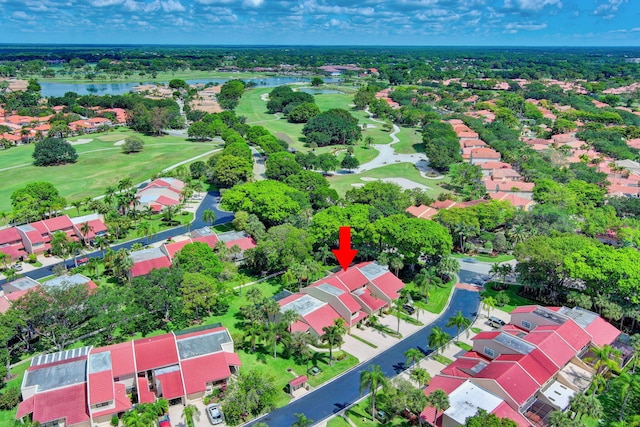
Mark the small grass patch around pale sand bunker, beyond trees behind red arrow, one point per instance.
(343, 183)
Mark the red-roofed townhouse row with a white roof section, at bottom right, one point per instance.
(527, 369)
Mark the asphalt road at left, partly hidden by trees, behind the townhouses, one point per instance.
(210, 202)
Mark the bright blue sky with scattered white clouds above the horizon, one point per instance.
(323, 22)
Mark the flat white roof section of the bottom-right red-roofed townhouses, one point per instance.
(467, 399)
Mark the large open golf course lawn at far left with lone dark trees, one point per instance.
(100, 165)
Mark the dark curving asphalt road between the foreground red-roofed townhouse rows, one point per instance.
(343, 391)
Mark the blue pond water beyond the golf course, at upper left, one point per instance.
(59, 89)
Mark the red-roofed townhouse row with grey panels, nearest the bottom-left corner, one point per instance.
(87, 386)
